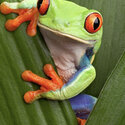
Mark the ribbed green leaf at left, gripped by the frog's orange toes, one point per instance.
(19, 52)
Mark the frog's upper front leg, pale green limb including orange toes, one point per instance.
(28, 13)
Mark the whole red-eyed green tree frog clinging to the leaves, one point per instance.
(73, 35)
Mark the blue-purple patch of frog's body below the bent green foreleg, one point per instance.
(82, 105)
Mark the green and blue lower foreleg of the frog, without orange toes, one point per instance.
(81, 79)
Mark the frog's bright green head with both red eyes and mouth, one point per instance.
(71, 20)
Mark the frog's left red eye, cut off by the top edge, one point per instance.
(43, 6)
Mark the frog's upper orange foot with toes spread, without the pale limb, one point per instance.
(24, 15)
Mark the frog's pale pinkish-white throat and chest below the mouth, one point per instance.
(65, 51)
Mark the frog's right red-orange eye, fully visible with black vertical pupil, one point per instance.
(93, 22)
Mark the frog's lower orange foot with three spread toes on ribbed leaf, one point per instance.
(46, 85)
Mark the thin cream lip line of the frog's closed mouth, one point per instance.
(90, 42)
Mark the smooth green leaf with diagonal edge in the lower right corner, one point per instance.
(110, 108)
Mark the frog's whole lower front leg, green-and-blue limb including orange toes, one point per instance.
(55, 89)
